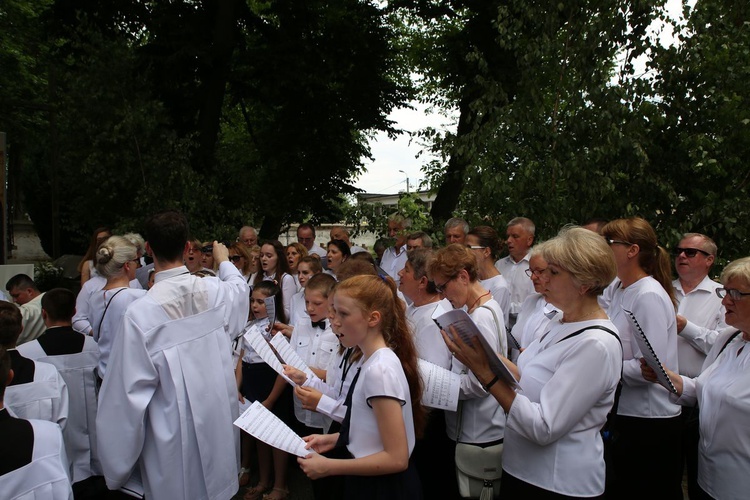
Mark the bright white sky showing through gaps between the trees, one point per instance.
(384, 175)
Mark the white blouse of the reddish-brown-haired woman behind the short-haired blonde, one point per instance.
(653, 309)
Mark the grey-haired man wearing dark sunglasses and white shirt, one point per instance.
(699, 316)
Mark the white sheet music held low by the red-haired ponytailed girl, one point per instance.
(264, 425)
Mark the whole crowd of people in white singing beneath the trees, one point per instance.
(130, 388)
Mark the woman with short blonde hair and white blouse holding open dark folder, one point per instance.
(568, 378)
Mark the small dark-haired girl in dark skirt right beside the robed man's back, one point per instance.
(259, 382)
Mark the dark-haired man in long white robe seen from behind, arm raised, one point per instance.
(169, 396)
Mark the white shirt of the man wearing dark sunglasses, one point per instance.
(705, 315)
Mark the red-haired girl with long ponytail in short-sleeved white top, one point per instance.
(384, 413)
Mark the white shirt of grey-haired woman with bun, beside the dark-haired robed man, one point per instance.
(106, 326)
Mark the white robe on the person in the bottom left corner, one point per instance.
(46, 477)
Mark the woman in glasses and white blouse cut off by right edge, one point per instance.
(722, 391)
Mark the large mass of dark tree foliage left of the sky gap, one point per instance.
(235, 112)
